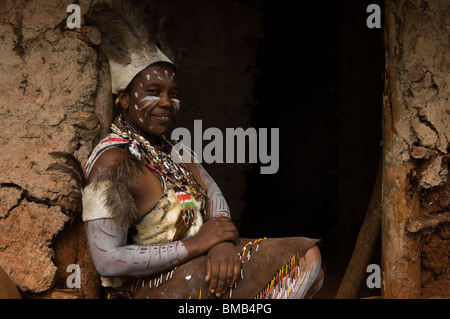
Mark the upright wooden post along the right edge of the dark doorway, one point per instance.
(400, 249)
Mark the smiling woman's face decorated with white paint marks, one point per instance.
(153, 101)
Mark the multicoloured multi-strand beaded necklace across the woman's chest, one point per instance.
(160, 161)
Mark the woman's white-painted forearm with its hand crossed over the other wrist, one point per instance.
(113, 257)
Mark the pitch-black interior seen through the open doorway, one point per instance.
(321, 83)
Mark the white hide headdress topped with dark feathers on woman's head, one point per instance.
(126, 40)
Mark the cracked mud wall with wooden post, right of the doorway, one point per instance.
(416, 149)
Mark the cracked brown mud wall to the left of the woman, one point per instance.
(49, 84)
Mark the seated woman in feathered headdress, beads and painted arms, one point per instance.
(159, 227)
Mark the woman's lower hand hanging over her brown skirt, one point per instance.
(222, 267)
